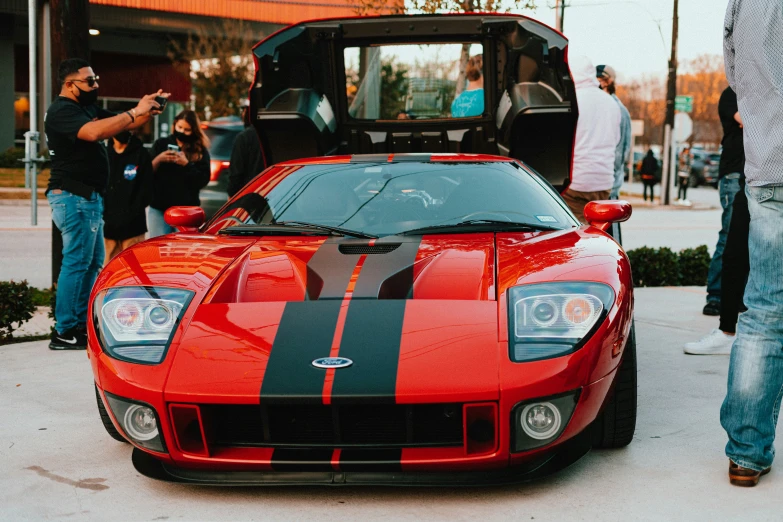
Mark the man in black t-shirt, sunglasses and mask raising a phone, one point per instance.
(74, 127)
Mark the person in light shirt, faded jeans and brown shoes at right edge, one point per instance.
(753, 47)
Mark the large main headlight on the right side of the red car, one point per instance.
(552, 319)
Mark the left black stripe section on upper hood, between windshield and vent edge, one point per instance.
(329, 272)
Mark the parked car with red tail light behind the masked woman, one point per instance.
(221, 133)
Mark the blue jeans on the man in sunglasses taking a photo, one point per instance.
(81, 224)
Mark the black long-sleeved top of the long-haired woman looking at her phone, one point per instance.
(178, 185)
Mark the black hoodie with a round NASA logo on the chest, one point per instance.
(128, 192)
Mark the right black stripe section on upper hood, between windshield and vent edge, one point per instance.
(388, 276)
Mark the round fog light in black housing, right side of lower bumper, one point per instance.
(538, 422)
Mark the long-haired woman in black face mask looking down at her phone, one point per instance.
(181, 165)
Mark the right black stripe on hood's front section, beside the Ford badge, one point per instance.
(371, 339)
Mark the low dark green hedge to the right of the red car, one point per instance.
(662, 267)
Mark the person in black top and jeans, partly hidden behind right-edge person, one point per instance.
(732, 165)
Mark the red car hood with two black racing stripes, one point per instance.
(396, 307)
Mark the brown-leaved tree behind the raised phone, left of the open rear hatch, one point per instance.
(219, 63)
